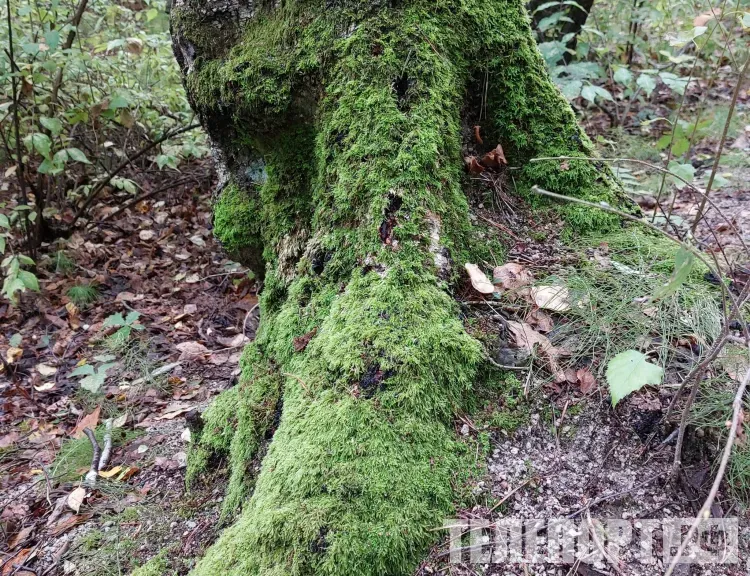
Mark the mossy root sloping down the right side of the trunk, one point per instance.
(532, 119)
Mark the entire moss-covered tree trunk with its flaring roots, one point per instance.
(340, 127)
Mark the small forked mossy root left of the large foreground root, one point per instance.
(236, 426)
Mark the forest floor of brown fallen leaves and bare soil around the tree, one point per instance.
(162, 333)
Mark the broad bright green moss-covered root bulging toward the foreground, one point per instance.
(362, 464)
